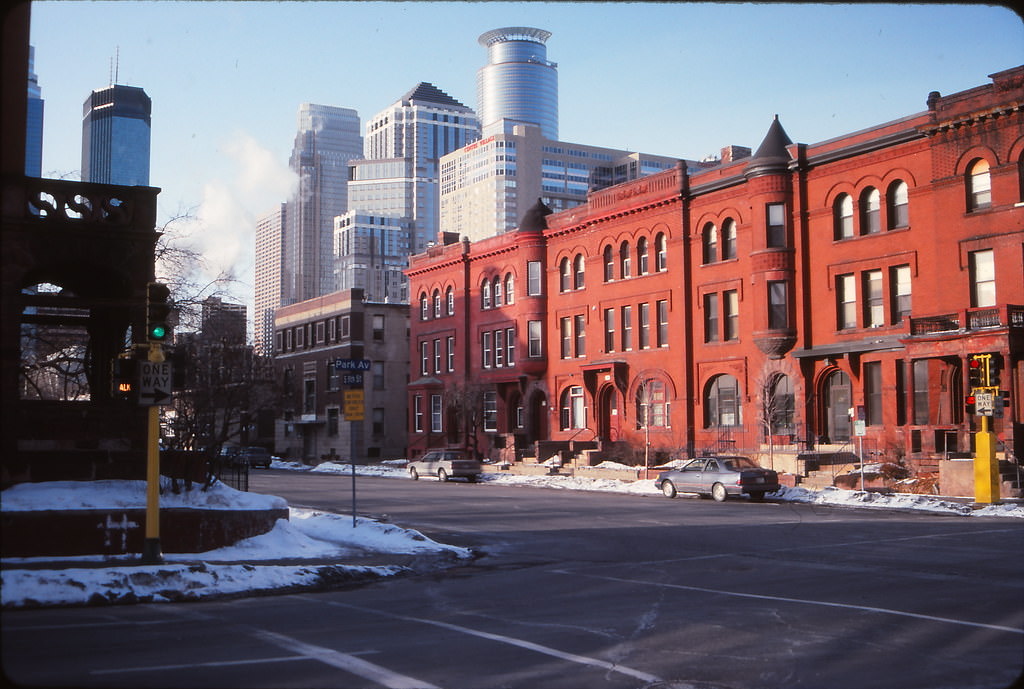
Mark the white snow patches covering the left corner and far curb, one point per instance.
(315, 544)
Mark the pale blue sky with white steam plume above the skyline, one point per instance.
(672, 79)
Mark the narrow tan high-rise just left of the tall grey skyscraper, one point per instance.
(270, 248)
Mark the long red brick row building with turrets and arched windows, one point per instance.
(764, 305)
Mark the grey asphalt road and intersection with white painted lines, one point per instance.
(586, 590)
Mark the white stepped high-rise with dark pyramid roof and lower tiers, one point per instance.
(394, 191)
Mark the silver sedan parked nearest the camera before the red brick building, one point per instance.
(719, 478)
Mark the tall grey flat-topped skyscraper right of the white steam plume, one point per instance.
(328, 139)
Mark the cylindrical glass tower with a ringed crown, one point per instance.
(519, 83)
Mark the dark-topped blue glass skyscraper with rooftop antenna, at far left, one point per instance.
(116, 122)
